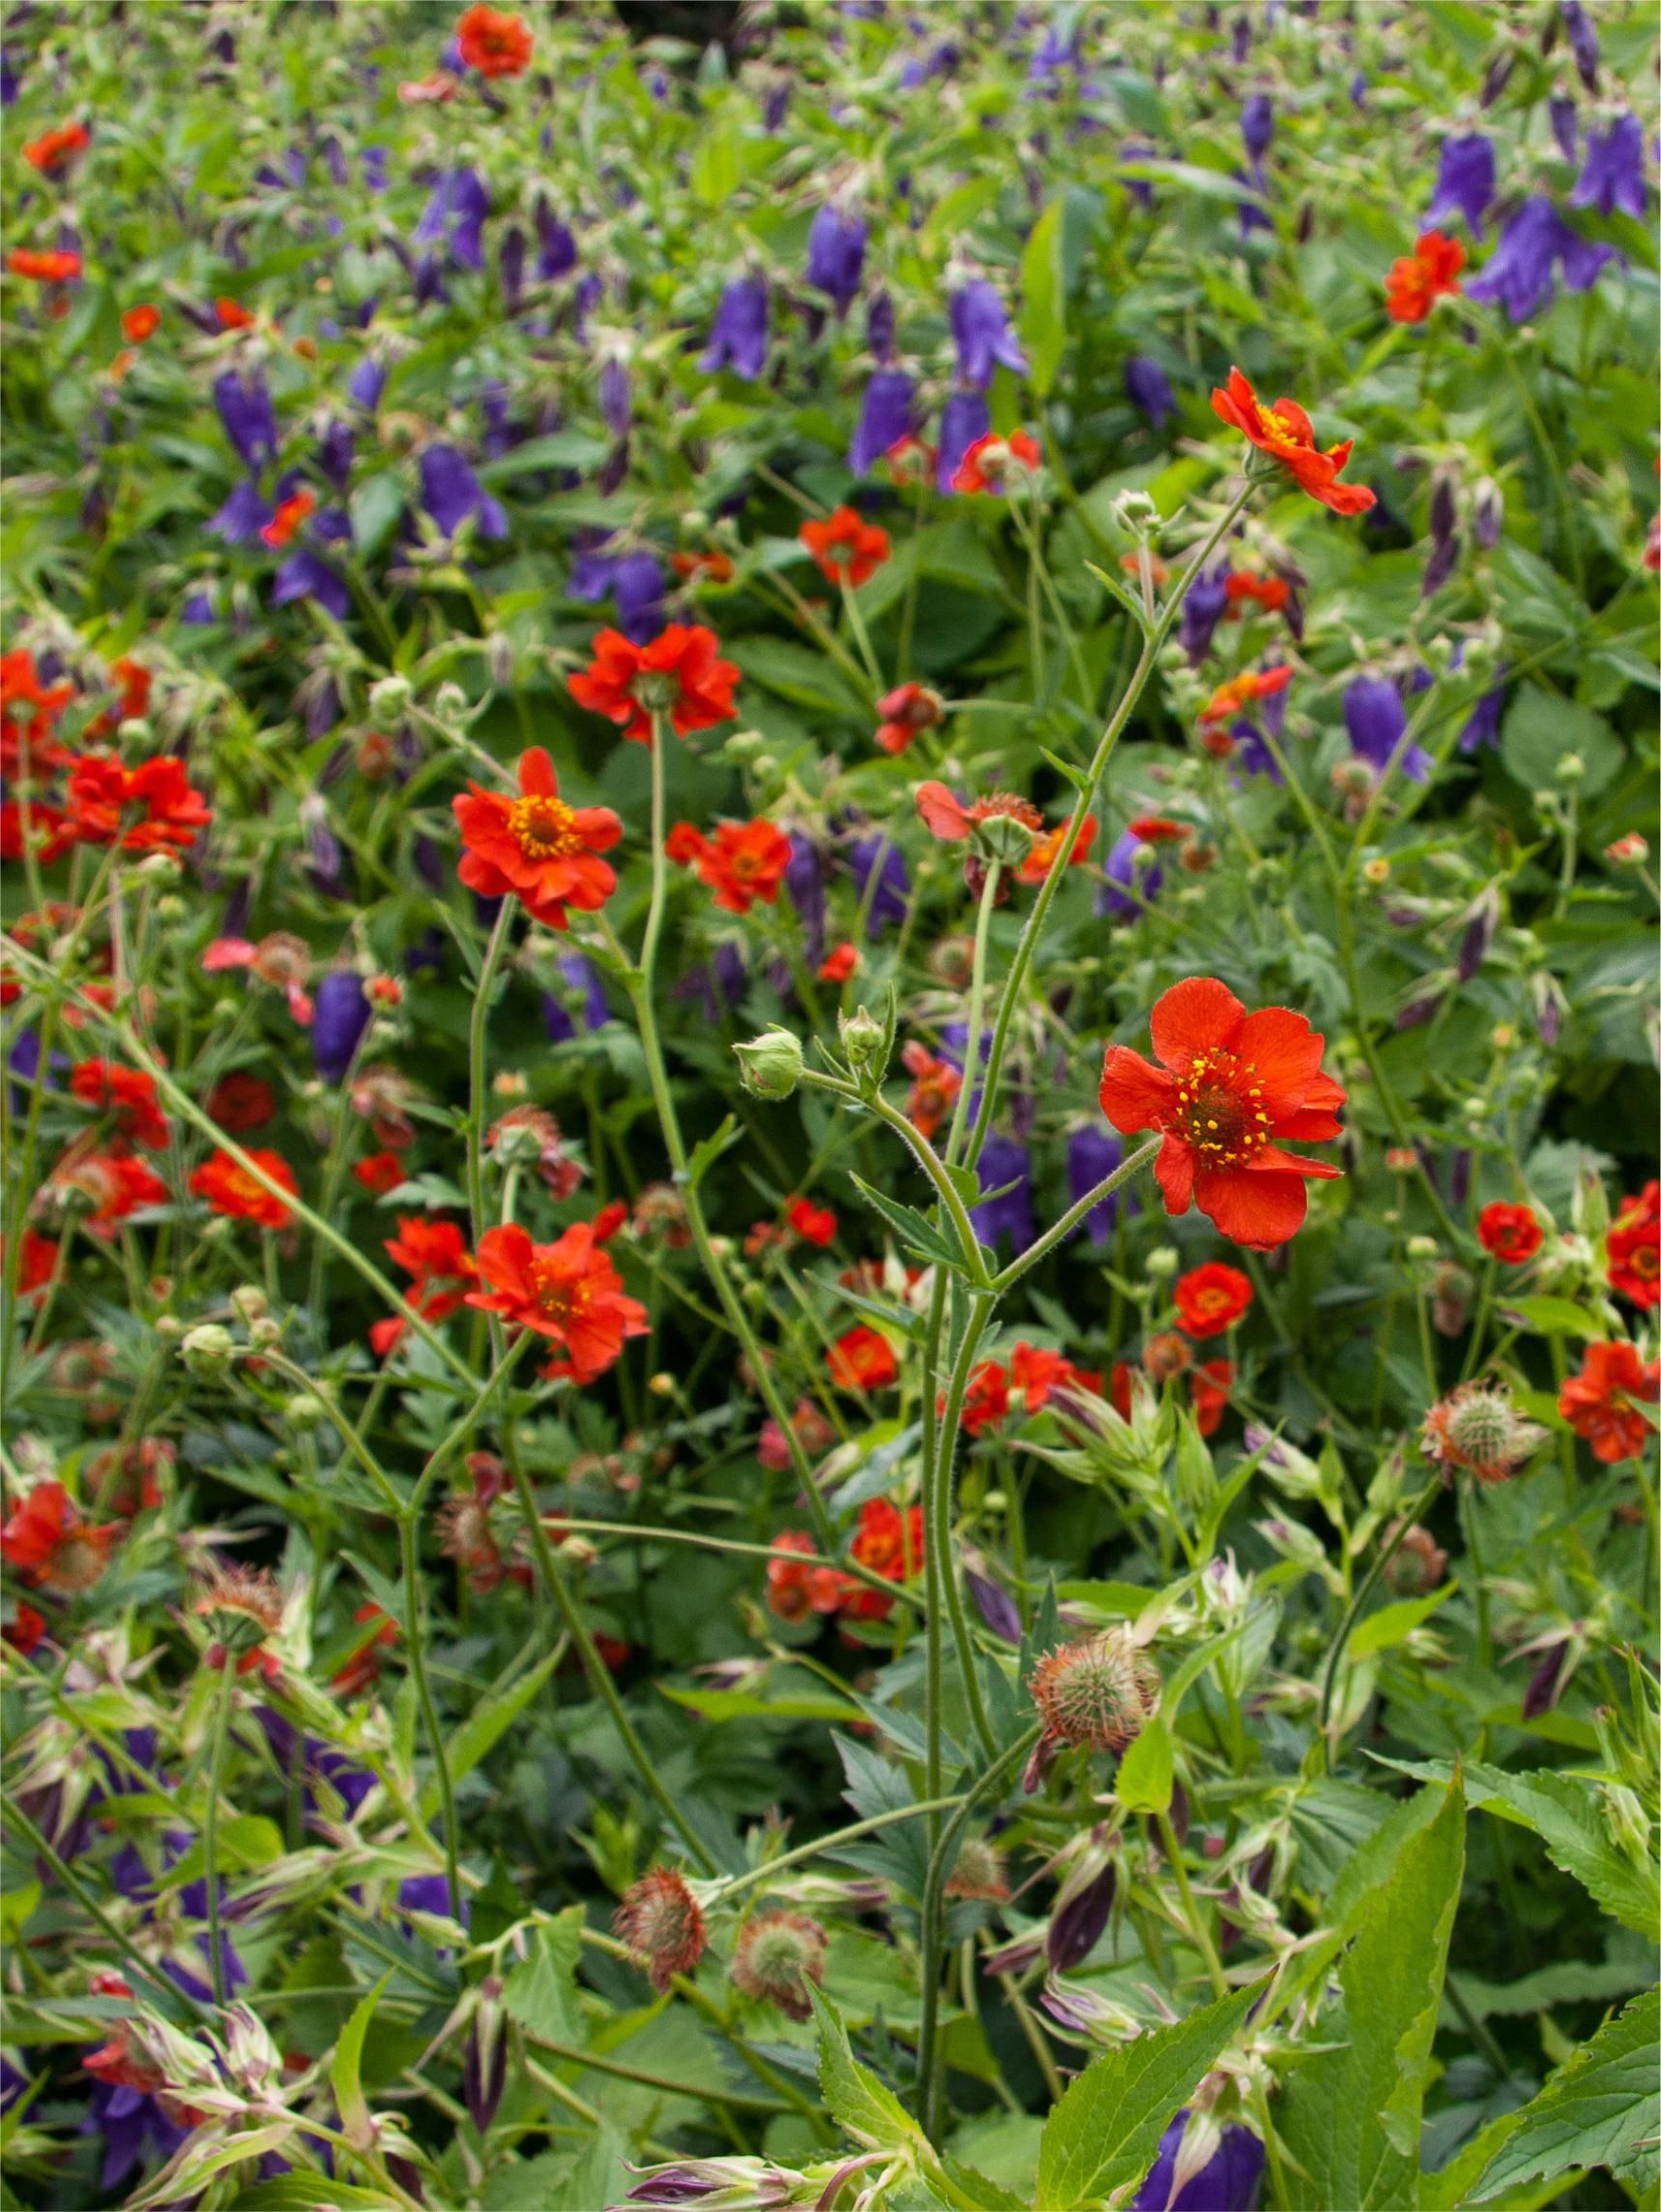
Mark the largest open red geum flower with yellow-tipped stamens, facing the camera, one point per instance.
(1229, 1089)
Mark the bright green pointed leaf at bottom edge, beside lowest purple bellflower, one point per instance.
(1107, 2129)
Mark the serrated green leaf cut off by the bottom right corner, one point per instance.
(1600, 2109)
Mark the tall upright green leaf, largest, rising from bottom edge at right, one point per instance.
(1352, 2116)
